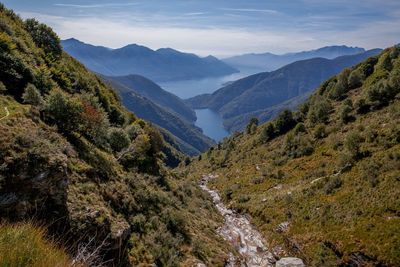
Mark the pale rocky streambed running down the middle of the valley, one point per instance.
(241, 234)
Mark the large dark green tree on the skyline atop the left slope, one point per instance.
(44, 37)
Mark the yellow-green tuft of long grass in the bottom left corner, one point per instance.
(25, 244)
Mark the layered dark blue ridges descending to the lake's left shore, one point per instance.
(150, 102)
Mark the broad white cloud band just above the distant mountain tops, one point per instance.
(217, 41)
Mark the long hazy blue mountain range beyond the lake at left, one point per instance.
(164, 64)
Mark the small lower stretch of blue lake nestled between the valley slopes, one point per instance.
(211, 123)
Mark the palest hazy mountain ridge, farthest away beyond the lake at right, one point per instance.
(271, 62)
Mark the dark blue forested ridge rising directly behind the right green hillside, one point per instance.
(264, 90)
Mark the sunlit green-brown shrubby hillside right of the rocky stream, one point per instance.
(323, 183)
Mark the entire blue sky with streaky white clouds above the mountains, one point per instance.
(220, 27)
